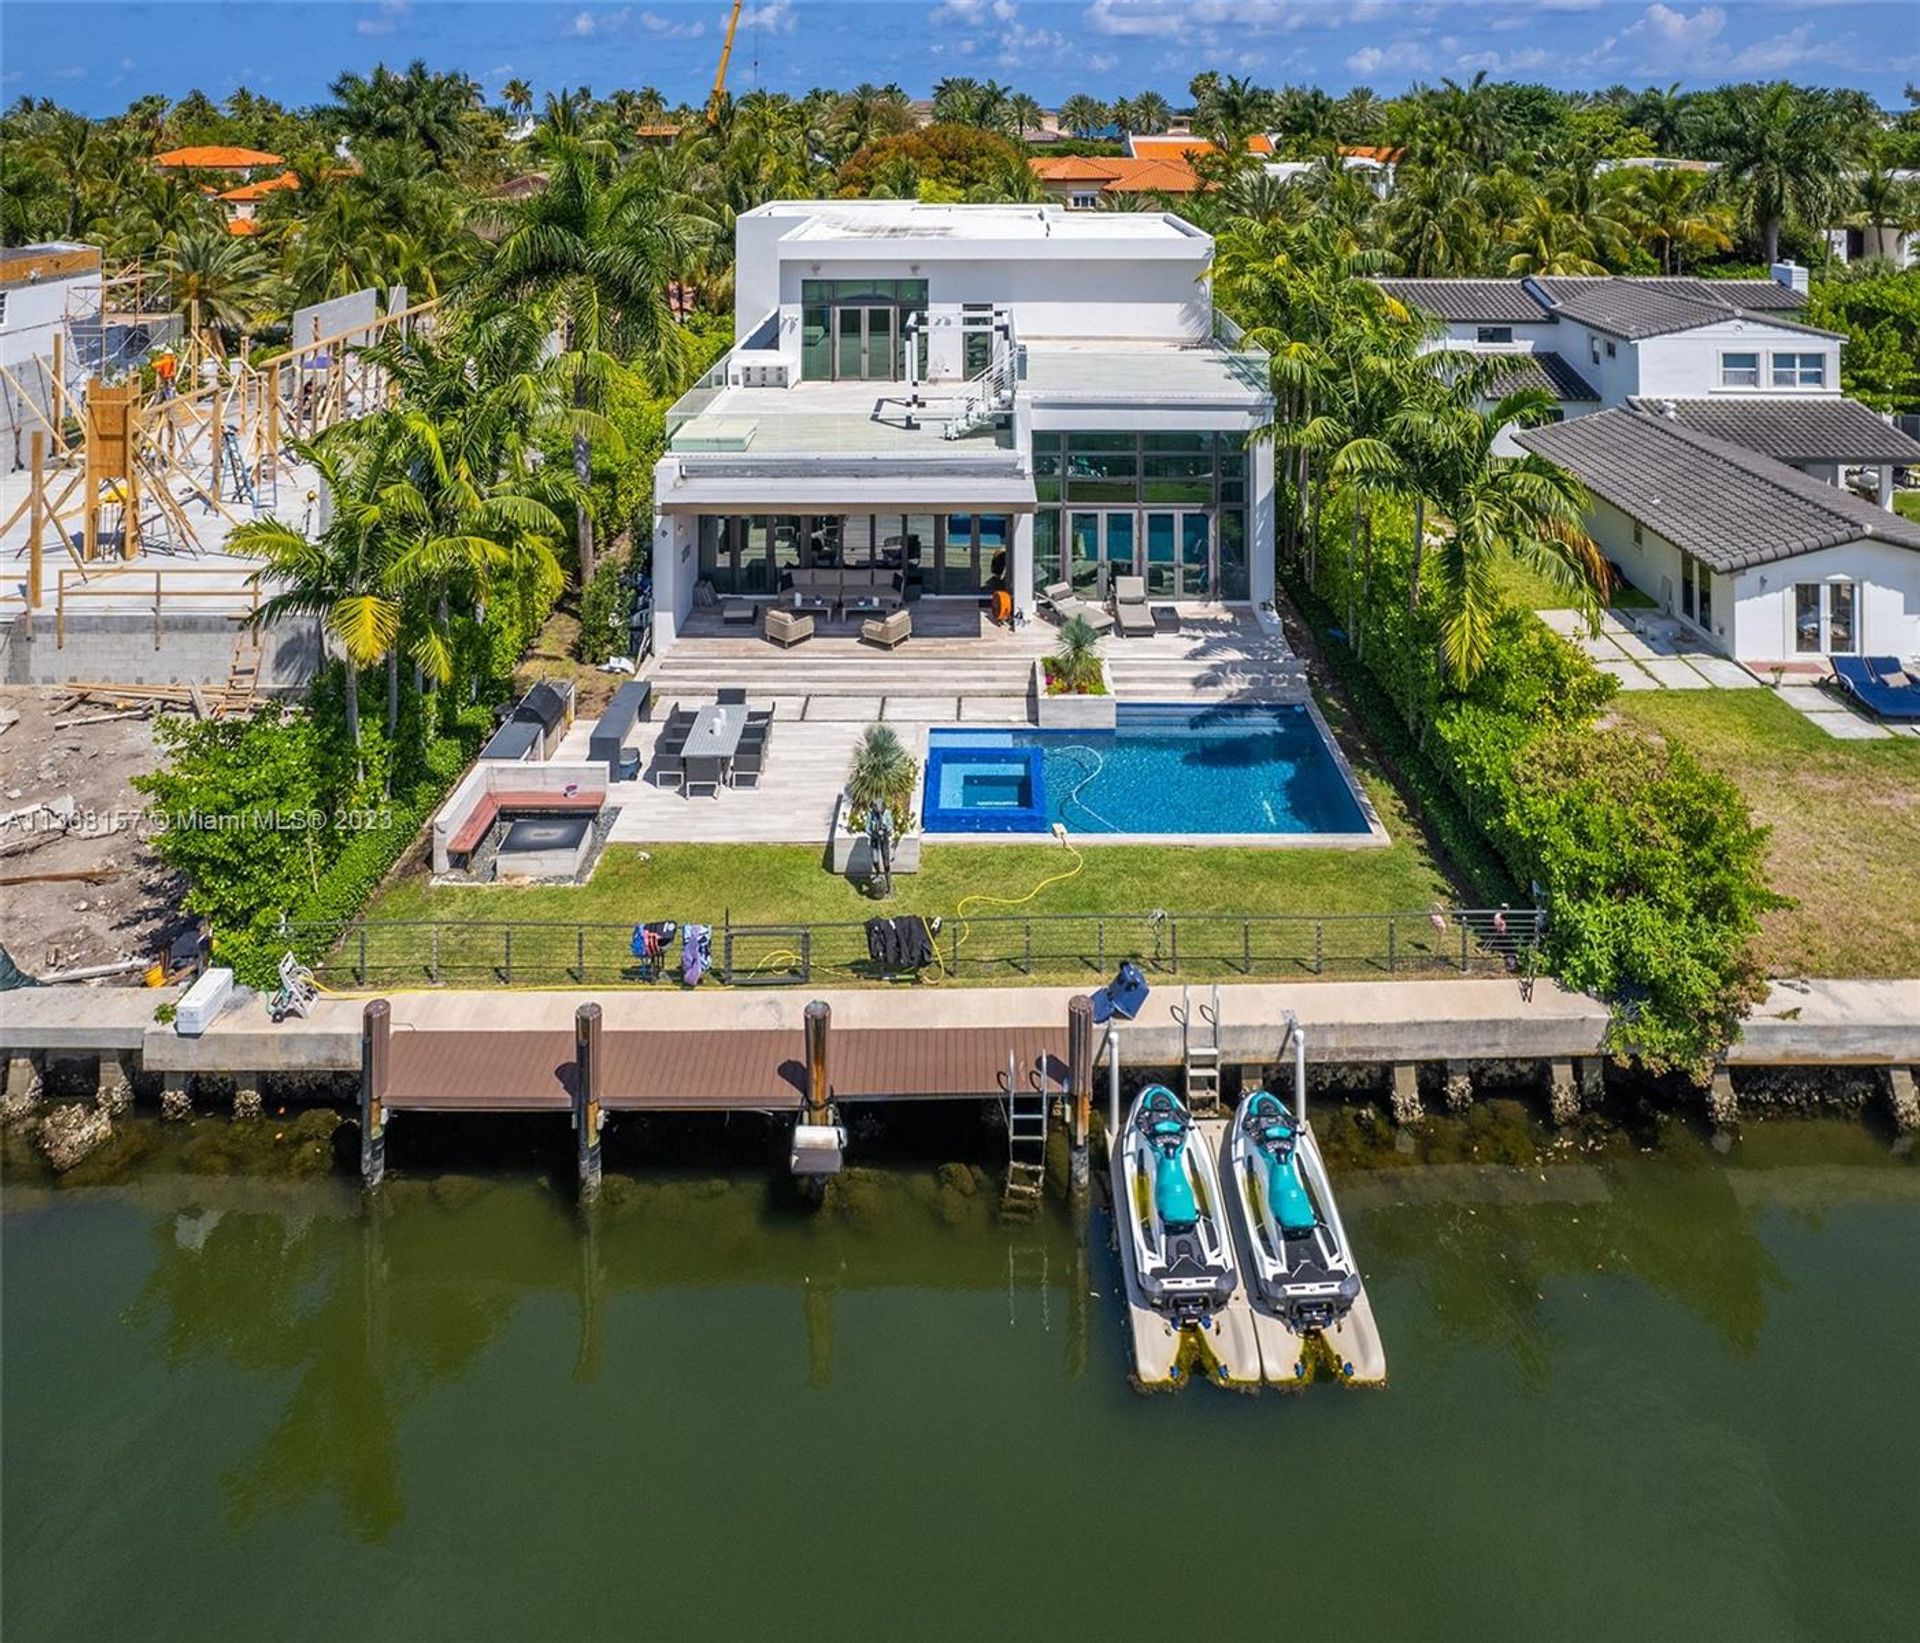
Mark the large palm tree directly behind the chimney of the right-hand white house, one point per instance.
(1785, 153)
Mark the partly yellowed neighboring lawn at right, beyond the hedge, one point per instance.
(1846, 826)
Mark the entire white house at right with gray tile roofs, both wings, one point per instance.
(1710, 429)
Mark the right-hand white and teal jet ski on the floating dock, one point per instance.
(1303, 1266)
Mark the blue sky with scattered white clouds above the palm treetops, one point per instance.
(99, 55)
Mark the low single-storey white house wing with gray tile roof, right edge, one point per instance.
(1769, 563)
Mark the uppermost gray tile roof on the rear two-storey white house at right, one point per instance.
(1623, 306)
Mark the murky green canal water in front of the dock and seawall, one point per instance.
(1635, 1394)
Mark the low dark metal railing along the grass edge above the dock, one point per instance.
(1063, 949)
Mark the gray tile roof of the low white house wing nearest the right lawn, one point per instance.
(1727, 506)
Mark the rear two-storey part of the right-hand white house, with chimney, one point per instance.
(1598, 343)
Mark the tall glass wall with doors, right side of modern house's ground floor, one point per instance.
(1170, 508)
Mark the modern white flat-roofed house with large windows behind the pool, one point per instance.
(971, 398)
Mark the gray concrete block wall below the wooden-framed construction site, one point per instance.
(118, 648)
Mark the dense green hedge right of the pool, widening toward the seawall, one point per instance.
(1650, 869)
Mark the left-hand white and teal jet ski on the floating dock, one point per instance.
(1174, 1210)
